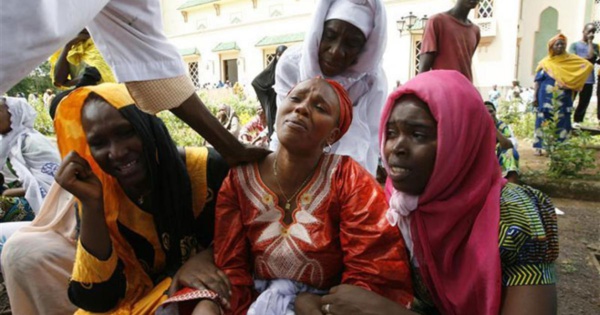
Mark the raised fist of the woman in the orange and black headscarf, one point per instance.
(75, 175)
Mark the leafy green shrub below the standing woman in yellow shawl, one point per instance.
(568, 155)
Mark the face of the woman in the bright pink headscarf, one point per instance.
(411, 145)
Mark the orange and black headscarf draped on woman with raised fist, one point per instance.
(152, 225)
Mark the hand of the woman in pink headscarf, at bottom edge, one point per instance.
(349, 299)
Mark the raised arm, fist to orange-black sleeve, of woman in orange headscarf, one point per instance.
(97, 282)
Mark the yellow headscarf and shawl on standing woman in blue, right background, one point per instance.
(569, 70)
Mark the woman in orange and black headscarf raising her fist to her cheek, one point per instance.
(145, 206)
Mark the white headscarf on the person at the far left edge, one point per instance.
(36, 170)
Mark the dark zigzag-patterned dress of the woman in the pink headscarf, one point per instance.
(528, 243)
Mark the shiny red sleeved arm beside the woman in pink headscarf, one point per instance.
(375, 256)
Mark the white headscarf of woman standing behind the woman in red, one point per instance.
(365, 81)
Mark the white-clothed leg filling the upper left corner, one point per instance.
(31, 30)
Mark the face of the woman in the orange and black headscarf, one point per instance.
(114, 144)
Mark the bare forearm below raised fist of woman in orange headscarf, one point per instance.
(94, 231)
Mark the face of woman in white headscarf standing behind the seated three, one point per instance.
(341, 44)
